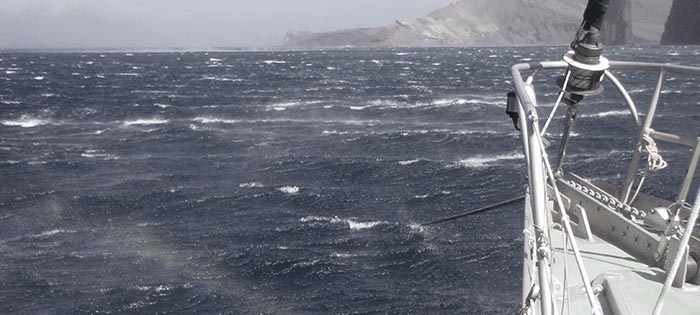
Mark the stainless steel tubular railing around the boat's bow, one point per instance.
(539, 169)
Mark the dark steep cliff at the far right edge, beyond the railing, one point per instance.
(683, 24)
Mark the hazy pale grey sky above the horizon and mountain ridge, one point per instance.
(188, 23)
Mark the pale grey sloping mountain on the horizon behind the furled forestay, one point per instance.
(498, 22)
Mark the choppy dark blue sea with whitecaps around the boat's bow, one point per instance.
(287, 182)
